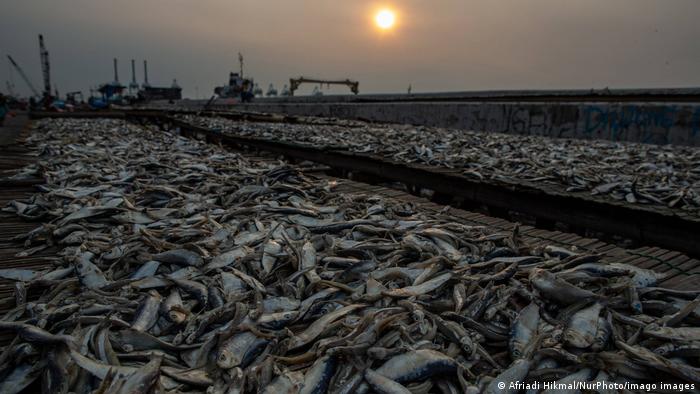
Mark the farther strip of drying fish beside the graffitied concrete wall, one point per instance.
(630, 172)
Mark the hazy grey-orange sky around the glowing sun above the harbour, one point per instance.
(437, 45)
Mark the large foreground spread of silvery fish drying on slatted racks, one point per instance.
(187, 268)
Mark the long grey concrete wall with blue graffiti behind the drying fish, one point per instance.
(657, 123)
